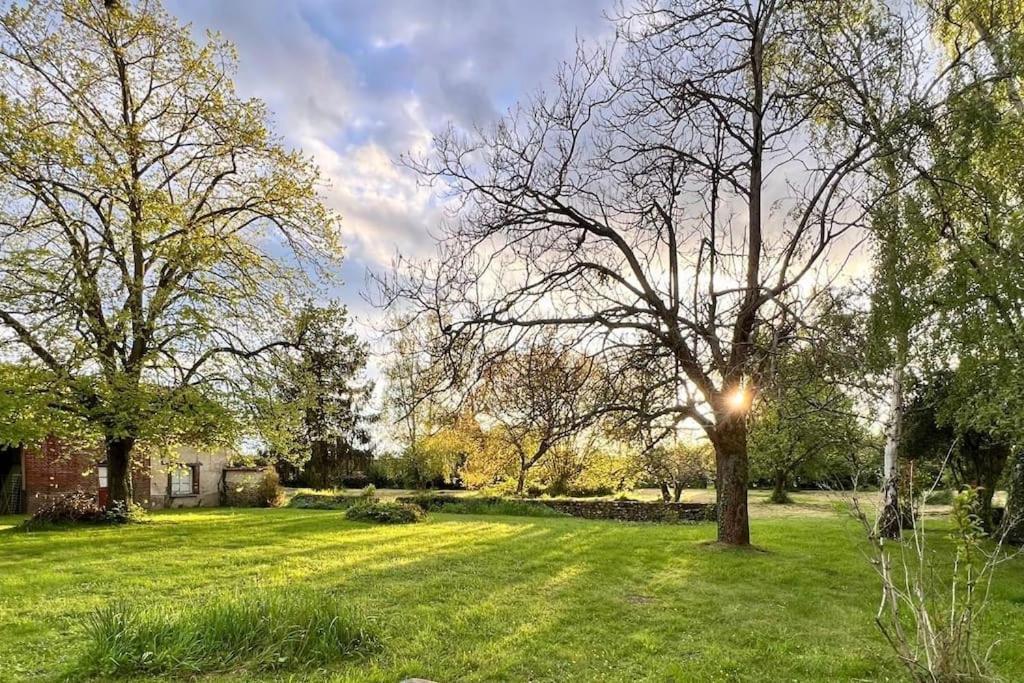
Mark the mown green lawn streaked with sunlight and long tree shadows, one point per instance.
(485, 599)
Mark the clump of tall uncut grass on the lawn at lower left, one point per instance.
(263, 631)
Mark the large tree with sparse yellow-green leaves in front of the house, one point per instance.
(153, 231)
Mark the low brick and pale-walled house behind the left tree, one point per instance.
(30, 477)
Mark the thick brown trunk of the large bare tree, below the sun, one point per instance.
(731, 482)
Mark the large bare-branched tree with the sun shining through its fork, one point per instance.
(664, 207)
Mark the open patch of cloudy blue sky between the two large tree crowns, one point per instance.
(358, 83)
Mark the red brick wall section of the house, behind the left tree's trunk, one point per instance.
(55, 469)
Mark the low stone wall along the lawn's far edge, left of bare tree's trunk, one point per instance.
(637, 511)
